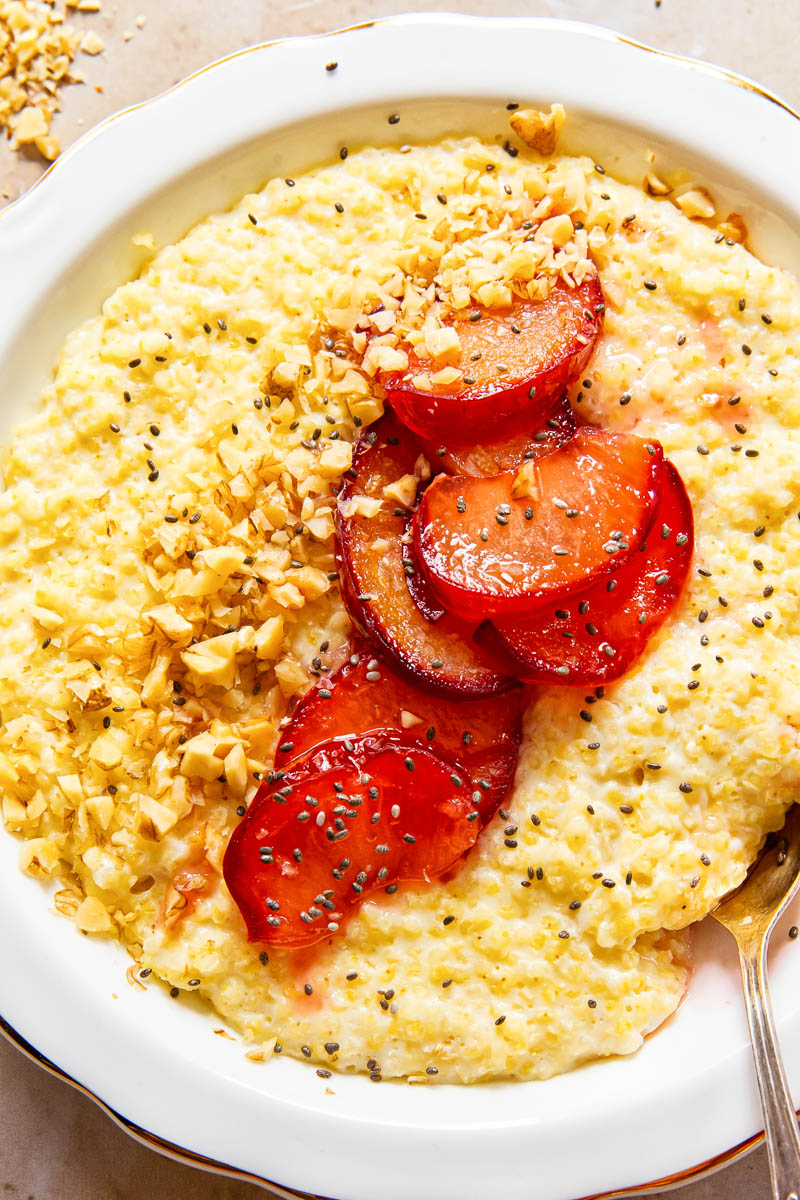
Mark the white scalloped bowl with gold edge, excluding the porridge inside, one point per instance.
(687, 1102)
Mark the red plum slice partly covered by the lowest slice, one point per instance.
(365, 695)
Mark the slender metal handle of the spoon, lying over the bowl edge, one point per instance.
(780, 1120)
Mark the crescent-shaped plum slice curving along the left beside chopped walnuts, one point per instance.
(378, 575)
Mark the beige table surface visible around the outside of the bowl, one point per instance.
(55, 1144)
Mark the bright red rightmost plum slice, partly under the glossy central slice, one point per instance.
(599, 634)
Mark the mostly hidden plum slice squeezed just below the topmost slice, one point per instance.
(548, 433)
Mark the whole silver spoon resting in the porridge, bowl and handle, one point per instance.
(750, 914)
